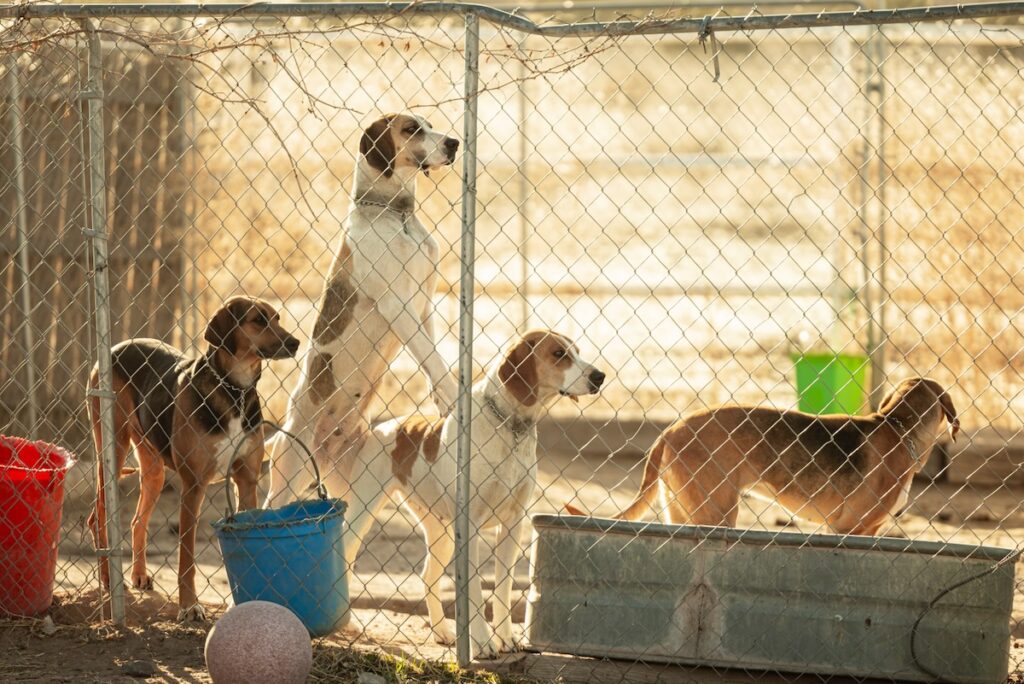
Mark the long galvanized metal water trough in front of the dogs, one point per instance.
(779, 602)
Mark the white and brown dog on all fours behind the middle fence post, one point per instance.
(413, 460)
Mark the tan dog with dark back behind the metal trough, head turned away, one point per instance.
(849, 473)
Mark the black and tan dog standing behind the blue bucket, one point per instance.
(190, 415)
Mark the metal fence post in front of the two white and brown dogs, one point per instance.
(465, 409)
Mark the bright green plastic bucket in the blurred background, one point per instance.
(831, 383)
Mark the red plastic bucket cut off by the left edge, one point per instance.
(31, 495)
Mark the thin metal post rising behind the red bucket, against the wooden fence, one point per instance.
(24, 265)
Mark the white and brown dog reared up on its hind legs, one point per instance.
(378, 297)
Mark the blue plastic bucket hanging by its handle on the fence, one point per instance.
(293, 557)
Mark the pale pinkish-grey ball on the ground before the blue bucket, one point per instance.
(259, 642)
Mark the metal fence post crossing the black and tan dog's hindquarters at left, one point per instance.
(98, 237)
